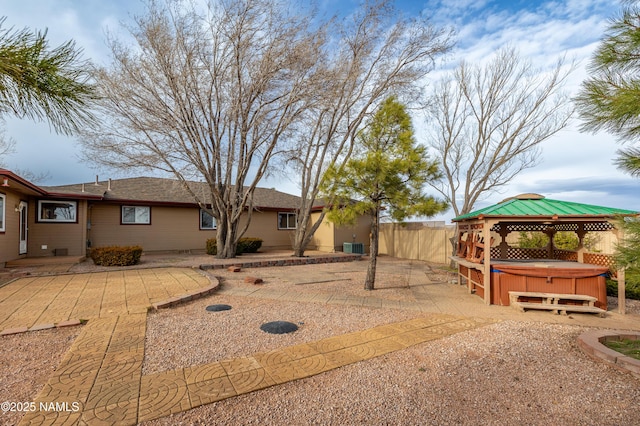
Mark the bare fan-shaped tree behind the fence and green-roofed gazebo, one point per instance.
(489, 122)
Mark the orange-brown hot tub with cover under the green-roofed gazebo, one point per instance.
(547, 276)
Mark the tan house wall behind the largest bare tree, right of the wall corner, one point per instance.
(175, 228)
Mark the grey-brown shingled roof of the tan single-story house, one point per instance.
(161, 190)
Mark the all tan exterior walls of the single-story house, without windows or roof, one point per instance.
(171, 229)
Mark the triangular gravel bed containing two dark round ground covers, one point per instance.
(191, 335)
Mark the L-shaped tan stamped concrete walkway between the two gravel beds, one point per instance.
(101, 375)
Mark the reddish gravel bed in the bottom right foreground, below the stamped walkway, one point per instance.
(510, 373)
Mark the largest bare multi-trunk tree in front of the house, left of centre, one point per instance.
(206, 96)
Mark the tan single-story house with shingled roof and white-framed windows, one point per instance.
(155, 213)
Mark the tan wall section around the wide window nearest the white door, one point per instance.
(70, 236)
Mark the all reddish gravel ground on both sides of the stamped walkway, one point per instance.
(509, 373)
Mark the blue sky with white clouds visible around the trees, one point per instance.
(575, 167)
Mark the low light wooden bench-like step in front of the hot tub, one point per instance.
(553, 302)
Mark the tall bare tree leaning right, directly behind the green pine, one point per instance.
(376, 55)
